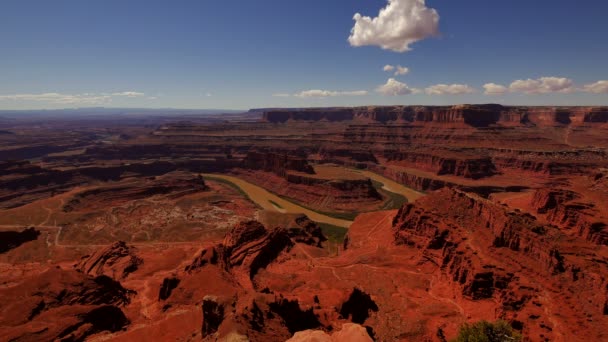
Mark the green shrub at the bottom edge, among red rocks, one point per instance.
(484, 331)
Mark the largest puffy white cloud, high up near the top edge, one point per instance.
(399, 24)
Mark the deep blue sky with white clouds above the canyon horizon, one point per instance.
(242, 54)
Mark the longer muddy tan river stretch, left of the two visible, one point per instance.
(263, 198)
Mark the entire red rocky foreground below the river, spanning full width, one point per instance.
(413, 274)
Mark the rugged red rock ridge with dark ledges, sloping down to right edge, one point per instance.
(519, 252)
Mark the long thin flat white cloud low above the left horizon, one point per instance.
(70, 99)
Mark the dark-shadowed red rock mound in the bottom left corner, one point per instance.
(63, 305)
